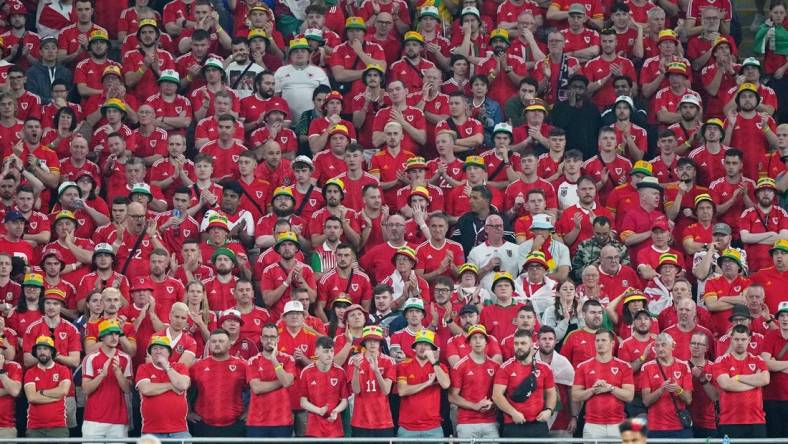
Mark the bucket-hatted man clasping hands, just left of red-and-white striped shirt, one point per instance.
(279, 278)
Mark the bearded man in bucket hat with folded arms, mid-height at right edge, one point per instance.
(763, 224)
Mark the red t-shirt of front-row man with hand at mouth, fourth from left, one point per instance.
(166, 412)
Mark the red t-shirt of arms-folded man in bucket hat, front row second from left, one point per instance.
(53, 414)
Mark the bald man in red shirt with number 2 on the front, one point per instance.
(130, 259)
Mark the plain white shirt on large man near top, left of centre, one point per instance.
(296, 86)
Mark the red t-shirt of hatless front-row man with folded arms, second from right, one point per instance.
(740, 407)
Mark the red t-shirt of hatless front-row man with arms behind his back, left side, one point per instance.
(220, 386)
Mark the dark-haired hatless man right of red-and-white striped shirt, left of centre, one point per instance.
(344, 280)
